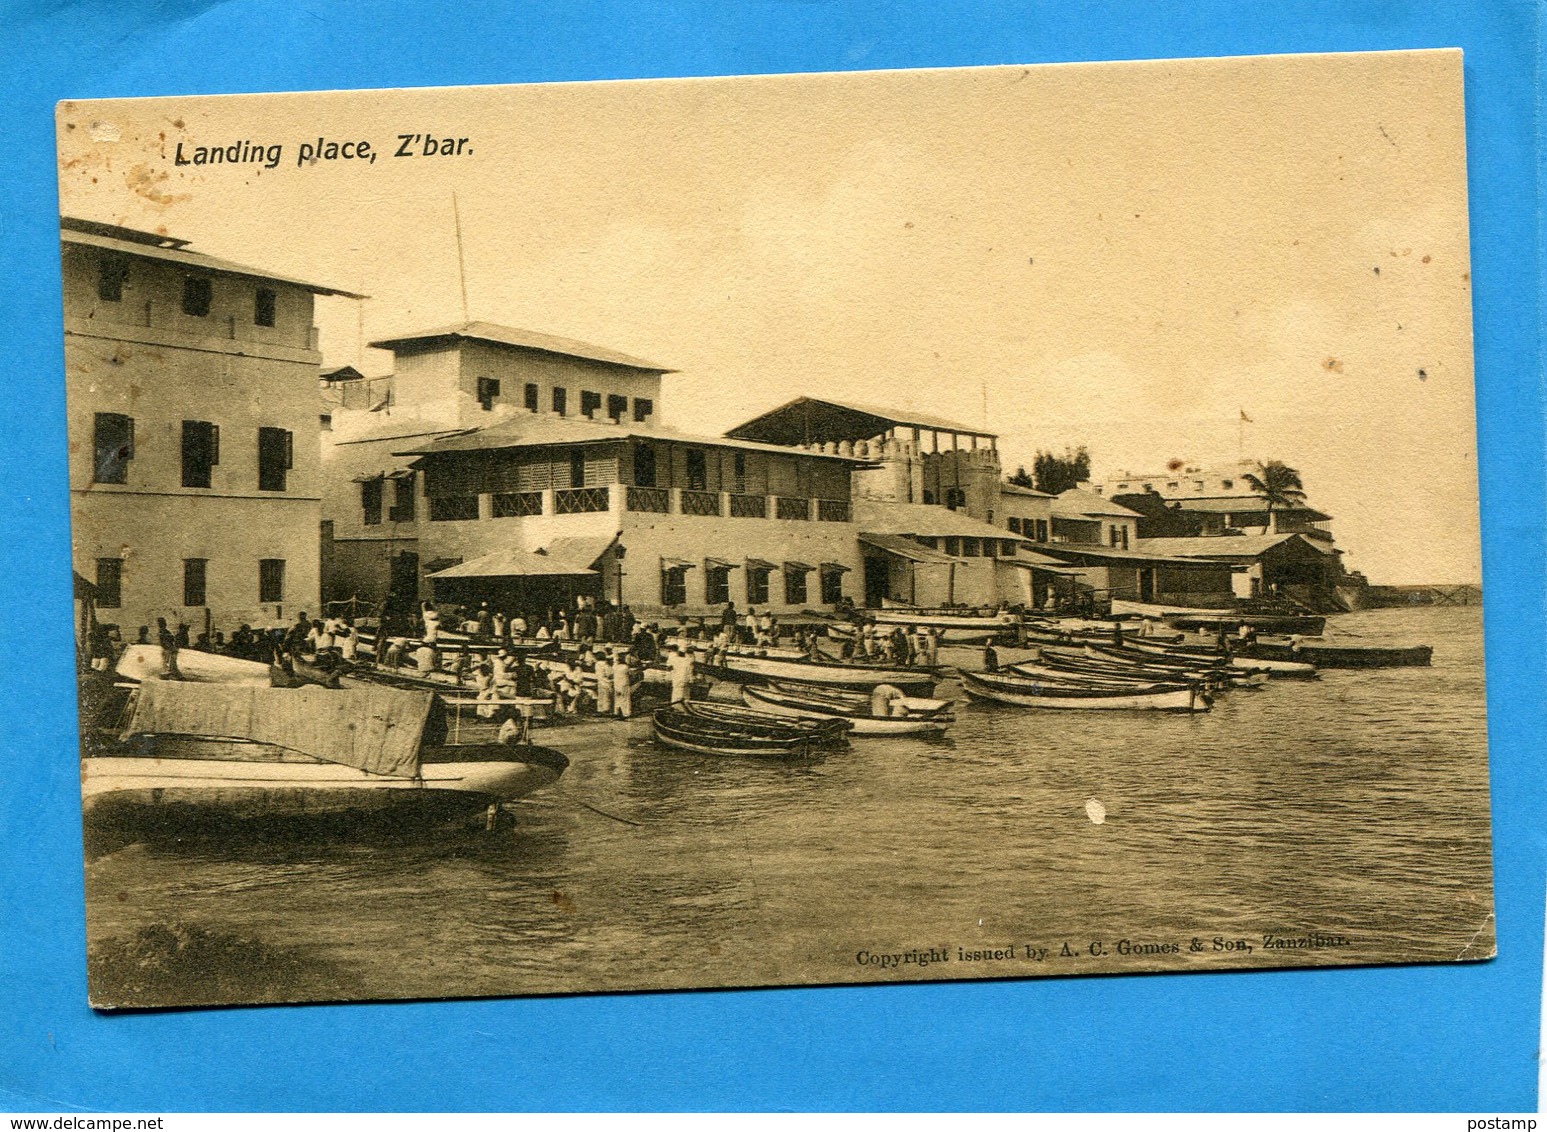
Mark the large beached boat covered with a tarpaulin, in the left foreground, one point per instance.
(247, 752)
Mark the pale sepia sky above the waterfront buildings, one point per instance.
(1129, 257)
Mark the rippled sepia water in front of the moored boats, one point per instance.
(1356, 808)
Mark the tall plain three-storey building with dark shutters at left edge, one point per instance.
(193, 407)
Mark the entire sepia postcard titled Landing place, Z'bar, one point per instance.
(763, 531)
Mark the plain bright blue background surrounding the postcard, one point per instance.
(1443, 1038)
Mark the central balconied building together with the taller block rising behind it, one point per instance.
(521, 469)
